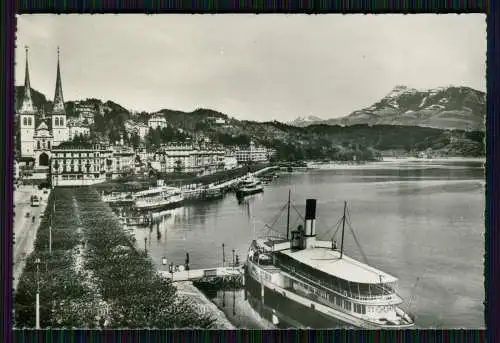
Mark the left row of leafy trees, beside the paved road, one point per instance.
(66, 300)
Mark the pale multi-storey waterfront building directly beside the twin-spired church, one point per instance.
(81, 164)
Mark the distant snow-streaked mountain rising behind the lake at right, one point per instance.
(446, 108)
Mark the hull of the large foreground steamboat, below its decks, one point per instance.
(306, 311)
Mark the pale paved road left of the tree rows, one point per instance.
(24, 228)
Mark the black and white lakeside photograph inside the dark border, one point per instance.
(234, 171)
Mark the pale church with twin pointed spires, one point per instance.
(40, 133)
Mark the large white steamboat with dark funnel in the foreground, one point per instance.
(315, 277)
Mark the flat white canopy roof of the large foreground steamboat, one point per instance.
(329, 262)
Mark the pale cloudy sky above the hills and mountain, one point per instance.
(255, 67)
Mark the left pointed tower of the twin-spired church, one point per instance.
(26, 116)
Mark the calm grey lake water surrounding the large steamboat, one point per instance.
(421, 221)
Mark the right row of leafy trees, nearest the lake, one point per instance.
(127, 278)
